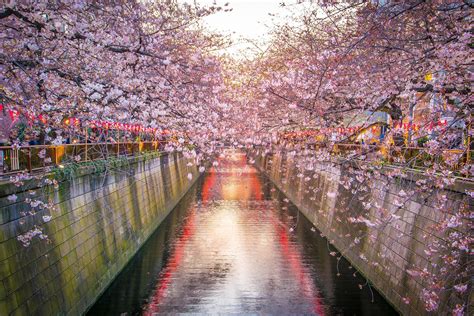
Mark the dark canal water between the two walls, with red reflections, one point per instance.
(236, 245)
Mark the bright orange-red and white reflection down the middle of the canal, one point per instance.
(230, 236)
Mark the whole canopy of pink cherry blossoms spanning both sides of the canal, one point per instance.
(151, 64)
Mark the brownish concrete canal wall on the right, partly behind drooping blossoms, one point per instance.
(394, 248)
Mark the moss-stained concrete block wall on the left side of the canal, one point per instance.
(100, 220)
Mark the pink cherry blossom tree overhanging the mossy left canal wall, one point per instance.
(124, 61)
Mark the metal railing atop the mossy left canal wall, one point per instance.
(29, 158)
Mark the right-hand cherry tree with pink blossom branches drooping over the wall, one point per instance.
(347, 57)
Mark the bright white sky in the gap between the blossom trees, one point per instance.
(249, 19)
